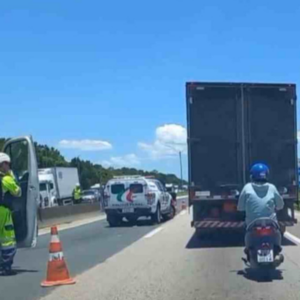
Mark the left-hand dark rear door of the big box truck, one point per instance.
(214, 118)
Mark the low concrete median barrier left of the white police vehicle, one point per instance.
(66, 214)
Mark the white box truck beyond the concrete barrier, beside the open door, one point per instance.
(56, 185)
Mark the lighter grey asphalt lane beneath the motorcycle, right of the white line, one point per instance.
(170, 263)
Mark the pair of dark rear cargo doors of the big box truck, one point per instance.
(232, 126)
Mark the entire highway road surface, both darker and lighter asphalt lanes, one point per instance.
(152, 262)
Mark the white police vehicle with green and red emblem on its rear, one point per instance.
(136, 196)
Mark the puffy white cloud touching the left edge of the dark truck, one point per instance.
(169, 140)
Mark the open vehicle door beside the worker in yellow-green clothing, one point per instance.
(24, 166)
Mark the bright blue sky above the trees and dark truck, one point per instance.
(78, 70)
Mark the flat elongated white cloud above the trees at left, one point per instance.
(85, 145)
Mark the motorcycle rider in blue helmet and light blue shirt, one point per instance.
(260, 199)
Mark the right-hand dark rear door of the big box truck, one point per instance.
(271, 132)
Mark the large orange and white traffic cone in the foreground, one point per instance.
(57, 272)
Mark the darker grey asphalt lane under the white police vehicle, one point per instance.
(84, 247)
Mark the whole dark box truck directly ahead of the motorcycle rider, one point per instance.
(230, 127)
